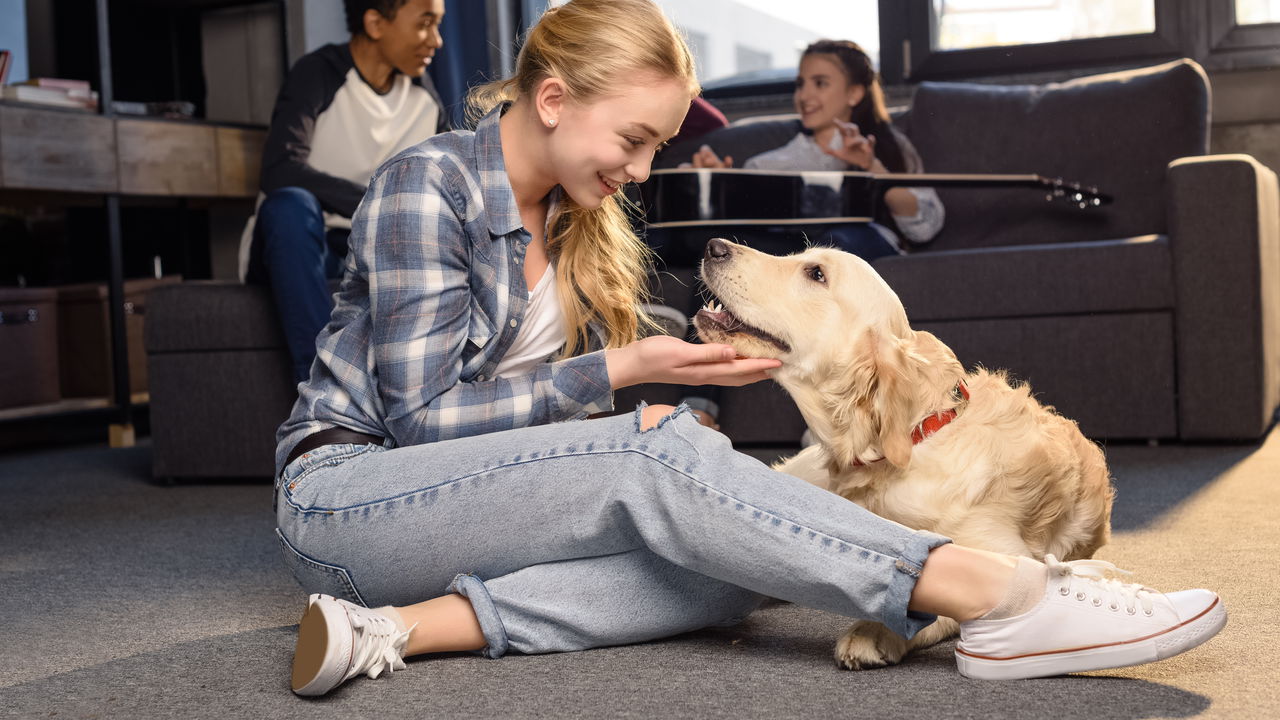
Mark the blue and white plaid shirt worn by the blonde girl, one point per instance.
(432, 298)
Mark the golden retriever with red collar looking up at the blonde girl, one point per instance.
(900, 427)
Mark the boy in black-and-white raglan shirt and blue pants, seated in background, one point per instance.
(342, 112)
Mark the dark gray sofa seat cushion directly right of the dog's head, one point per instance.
(1121, 276)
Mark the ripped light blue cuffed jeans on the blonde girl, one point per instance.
(589, 534)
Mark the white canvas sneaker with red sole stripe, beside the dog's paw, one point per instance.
(1089, 621)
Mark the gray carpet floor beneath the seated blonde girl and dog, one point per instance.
(125, 599)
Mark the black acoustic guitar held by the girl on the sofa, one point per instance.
(689, 198)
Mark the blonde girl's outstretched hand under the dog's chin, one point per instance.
(665, 359)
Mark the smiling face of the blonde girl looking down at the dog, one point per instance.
(600, 145)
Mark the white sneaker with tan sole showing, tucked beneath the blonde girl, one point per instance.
(340, 640)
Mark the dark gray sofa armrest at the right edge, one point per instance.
(1224, 227)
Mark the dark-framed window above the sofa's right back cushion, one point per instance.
(964, 39)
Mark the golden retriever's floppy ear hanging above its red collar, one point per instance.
(874, 400)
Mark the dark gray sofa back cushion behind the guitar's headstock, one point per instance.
(1116, 131)
